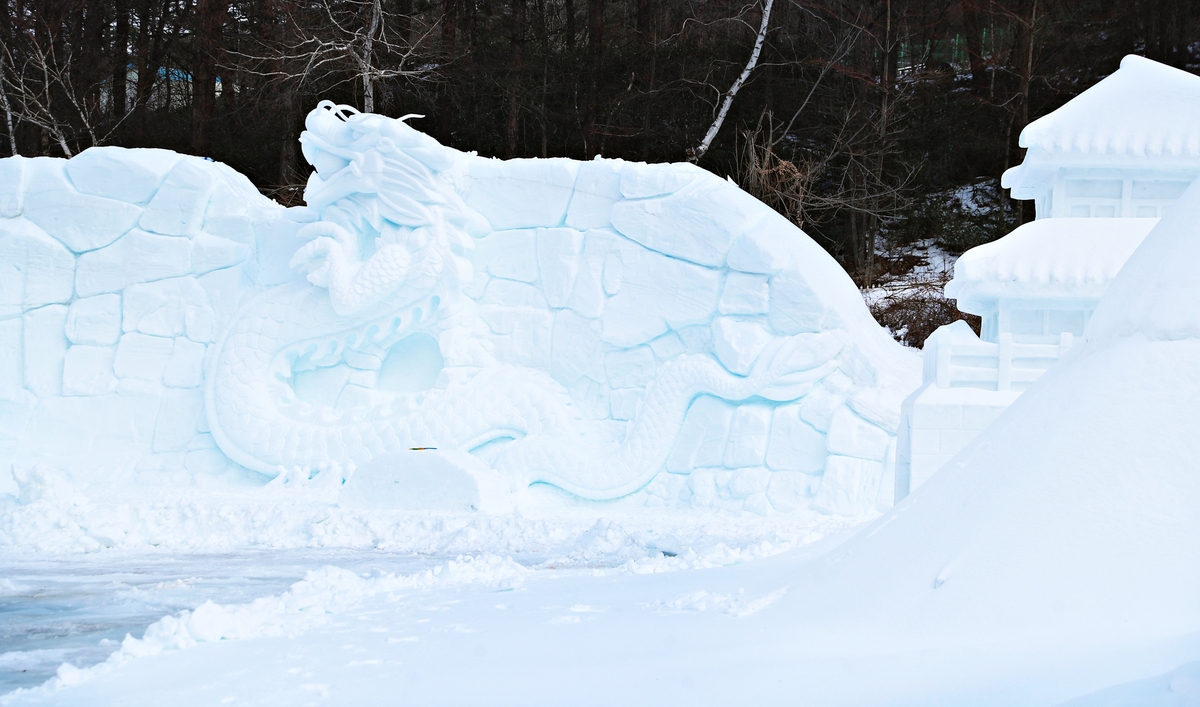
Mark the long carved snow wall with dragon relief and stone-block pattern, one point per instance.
(609, 328)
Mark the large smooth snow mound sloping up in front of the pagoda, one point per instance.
(1070, 523)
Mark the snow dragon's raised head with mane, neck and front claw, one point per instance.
(385, 194)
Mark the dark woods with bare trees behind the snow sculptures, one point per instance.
(868, 123)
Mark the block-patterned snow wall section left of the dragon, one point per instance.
(105, 313)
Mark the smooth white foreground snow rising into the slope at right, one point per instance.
(1051, 561)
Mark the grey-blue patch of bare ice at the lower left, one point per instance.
(79, 609)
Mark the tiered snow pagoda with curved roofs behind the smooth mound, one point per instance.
(1101, 171)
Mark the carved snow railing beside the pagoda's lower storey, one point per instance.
(958, 360)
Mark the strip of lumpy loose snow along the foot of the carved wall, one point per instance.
(58, 518)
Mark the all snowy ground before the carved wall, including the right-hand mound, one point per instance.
(1052, 562)
